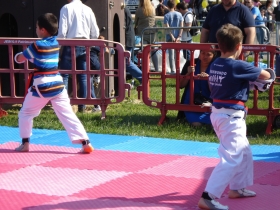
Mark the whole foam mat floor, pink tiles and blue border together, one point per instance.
(123, 173)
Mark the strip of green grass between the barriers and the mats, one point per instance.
(132, 117)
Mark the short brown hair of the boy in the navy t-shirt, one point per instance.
(229, 36)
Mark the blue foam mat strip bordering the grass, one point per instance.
(268, 153)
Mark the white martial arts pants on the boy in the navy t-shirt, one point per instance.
(236, 163)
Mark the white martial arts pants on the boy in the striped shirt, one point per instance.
(61, 104)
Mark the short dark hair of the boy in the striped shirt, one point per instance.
(49, 22)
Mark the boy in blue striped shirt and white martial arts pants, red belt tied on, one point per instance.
(47, 85)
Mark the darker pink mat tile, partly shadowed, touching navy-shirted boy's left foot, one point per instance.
(149, 189)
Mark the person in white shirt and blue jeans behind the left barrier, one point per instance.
(77, 21)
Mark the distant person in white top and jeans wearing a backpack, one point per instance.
(188, 19)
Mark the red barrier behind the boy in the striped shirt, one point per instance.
(104, 99)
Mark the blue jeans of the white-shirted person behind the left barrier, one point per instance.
(66, 63)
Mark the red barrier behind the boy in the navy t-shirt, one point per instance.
(271, 112)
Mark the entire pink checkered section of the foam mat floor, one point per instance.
(52, 177)
